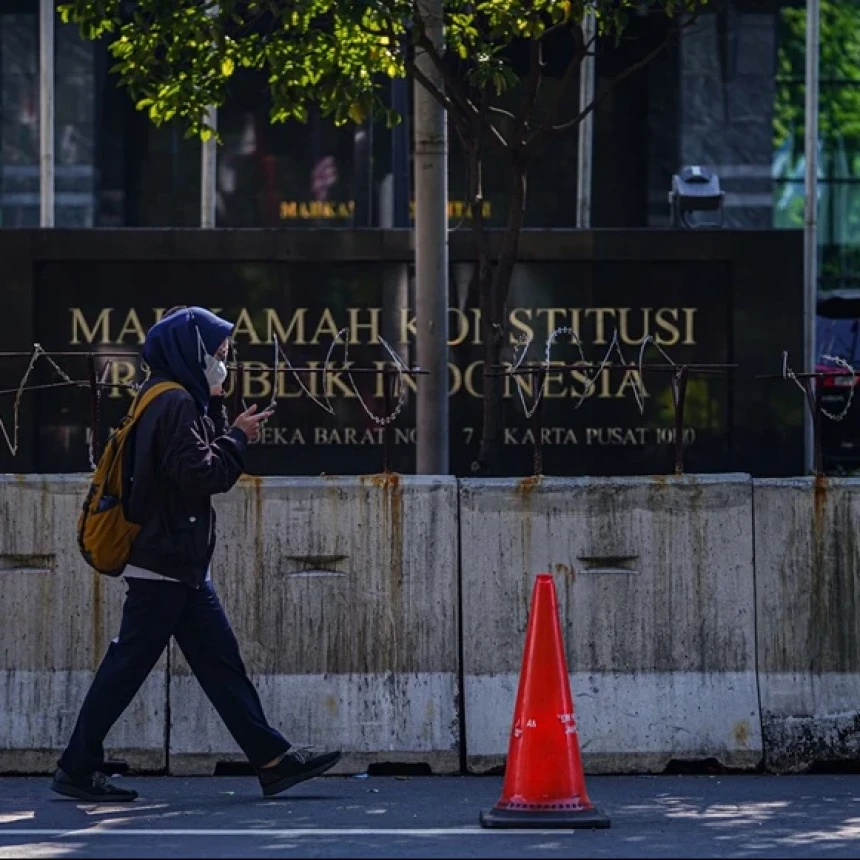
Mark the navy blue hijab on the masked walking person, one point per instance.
(173, 349)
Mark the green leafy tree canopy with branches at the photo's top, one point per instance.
(176, 57)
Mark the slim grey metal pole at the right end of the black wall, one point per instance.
(810, 221)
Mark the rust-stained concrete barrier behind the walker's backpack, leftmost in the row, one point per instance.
(57, 618)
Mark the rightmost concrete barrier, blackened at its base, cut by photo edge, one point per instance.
(808, 606)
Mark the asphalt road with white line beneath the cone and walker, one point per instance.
(381, 817)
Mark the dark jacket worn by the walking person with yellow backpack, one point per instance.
(177, 460)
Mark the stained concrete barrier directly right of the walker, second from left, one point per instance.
(343, 595)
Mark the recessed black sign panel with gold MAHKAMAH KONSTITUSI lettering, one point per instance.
(621, 422)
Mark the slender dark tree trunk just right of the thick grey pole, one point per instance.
(495, 286)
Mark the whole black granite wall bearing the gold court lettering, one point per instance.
(708, 296)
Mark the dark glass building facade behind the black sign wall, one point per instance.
(730, 97)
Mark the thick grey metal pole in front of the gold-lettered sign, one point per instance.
(431, 256)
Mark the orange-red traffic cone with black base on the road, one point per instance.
(544, 783)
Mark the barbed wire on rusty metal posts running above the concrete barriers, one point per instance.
(395, 389)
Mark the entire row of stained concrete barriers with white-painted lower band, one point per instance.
(345, 595)
